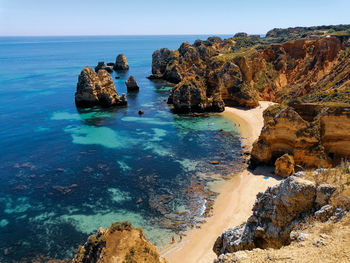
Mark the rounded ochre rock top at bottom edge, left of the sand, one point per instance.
(119, 243)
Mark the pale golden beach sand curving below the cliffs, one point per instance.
(237, 196)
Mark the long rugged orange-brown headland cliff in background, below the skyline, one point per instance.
(242, 70)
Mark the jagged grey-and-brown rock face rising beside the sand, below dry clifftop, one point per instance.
(275, 213)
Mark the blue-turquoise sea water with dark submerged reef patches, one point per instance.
(64, 172)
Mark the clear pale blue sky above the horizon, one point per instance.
(154, 17)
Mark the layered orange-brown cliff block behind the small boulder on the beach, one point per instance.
(318, 142)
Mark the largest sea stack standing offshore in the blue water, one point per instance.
(97, 89)
